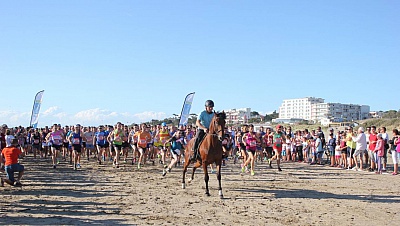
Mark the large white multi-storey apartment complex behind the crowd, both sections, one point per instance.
(311, 108)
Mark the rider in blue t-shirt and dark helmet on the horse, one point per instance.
(203, 123)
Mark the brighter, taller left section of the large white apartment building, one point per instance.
(298, 108)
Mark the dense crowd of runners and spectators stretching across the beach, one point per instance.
(150, 144)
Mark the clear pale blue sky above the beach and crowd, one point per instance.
(107, 61)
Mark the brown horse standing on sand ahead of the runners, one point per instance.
(210, 150)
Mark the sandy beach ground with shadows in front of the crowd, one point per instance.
(99, 194)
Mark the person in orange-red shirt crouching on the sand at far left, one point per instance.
(11, 154)
